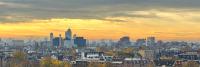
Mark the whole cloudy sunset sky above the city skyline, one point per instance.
(101, 19)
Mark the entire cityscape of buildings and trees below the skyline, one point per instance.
(72, 50)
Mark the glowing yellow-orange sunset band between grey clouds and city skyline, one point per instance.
(168, 25)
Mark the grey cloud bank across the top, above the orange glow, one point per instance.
(88, 9)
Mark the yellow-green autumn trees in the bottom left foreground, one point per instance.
(19, 59)
